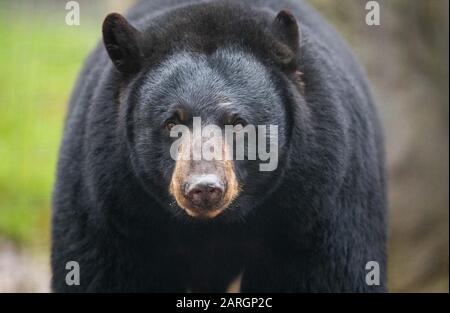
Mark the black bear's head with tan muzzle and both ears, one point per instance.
(206, 95)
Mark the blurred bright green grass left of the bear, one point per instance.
(40, 57)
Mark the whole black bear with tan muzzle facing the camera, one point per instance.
(138, 219)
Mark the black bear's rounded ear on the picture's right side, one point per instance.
(286, 31)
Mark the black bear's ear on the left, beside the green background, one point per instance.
(122, 43)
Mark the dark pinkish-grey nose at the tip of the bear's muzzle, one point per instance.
(205, 192)
